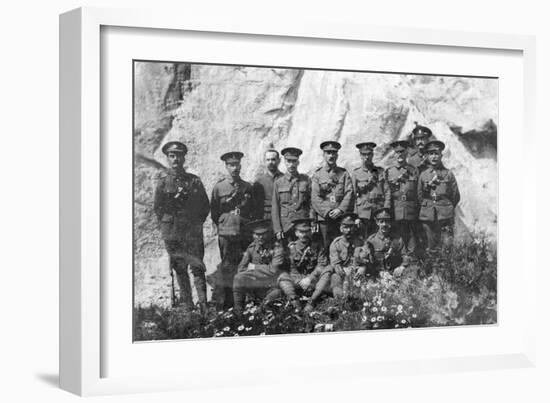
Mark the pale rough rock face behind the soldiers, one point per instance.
(214, 109)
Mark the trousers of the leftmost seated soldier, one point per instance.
(256, 282)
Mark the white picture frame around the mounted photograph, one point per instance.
(82, 343)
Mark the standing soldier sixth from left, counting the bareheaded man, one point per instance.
(371, 190)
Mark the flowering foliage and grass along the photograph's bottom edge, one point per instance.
(455, 286)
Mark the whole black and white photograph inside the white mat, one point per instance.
(272, 200)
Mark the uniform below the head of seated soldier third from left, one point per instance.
(341, 256)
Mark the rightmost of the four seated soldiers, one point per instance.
(383, 250)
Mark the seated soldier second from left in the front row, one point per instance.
(309, 272)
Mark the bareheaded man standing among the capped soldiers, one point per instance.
(263, 184)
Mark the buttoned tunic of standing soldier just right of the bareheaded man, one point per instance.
(291, 201)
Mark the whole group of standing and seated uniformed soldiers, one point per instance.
(288, 235)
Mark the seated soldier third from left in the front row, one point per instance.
(342, 251)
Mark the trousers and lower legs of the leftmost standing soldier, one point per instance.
(183, 256)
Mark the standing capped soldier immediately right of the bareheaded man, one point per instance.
(291, 195)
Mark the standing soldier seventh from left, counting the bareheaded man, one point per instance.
(402, 180)
